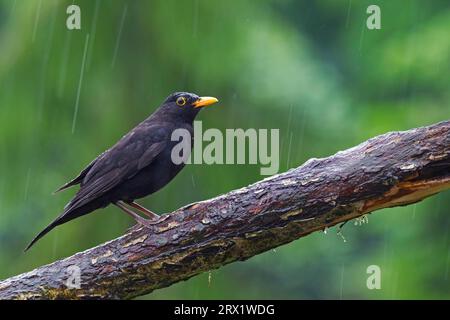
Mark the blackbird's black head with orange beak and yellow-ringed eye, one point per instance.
(185, 105)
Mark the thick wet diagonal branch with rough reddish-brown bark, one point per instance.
(393, 169)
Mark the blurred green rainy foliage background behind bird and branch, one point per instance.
(310, 68)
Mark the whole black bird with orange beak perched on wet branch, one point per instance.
(139, 164)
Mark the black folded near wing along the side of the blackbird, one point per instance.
(124, 160)
